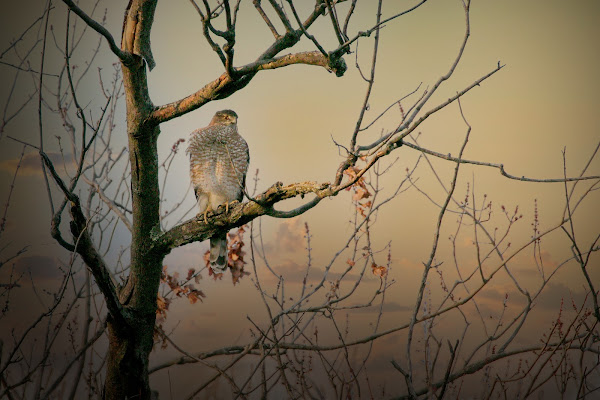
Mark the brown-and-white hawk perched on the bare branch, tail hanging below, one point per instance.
(219, 160)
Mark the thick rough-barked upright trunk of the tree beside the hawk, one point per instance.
(130, 345)
